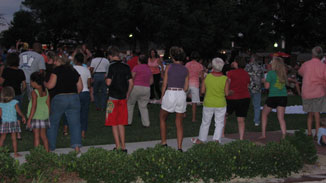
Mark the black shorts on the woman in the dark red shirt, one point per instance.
(240, 106)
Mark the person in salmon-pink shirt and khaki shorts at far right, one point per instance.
(313, 88)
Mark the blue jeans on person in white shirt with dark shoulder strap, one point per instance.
(99, 87)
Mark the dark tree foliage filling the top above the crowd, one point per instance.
(206, 25)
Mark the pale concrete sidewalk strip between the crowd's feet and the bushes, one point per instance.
(131, 147)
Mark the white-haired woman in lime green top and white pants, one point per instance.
(216, 87)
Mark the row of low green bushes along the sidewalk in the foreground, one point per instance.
(162, 164)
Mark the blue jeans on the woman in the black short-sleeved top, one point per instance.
(69, 105)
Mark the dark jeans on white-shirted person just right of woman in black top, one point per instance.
(84, 107)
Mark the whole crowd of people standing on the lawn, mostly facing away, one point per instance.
(62, 84)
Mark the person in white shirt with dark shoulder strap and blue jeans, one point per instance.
(99, 68)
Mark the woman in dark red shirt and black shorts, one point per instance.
(239, 99)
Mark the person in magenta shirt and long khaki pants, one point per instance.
(143, 78)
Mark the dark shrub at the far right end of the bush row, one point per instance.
(305, 145)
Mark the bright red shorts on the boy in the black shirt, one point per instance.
(116, 113)
